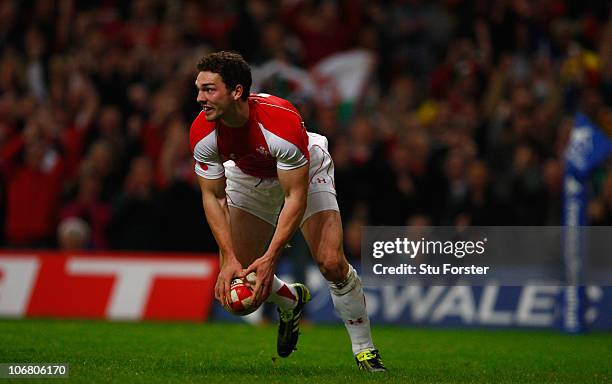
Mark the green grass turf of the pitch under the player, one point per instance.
(210, 353)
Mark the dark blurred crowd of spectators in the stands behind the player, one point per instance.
(443, 112)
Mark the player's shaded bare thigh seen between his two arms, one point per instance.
(250, 235)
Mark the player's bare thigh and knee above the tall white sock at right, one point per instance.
(323, 234)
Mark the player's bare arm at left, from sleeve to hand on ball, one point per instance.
(216, 210)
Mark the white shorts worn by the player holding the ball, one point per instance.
(264, 198)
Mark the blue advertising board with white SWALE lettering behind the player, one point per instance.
(527, 306)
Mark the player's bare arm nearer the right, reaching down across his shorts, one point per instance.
(295, 186)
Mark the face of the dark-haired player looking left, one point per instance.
(213, 95)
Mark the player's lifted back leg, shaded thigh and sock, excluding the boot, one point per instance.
(250, 237)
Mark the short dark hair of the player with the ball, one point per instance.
(232, 68)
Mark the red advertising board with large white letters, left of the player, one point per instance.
(118, 286)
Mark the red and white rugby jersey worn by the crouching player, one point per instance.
(273, 137)
